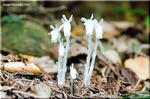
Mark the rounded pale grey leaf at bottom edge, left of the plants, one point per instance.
(43, 90)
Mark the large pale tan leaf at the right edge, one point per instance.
(139, 65)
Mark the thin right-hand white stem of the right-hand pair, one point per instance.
(93, 58)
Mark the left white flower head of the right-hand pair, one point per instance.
(89, 24)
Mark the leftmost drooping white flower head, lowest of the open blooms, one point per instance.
(54, 33)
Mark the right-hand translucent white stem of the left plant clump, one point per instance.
(64, 69)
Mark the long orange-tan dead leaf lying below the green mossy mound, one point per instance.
(21, 67)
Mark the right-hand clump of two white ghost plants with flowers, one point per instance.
(91, 25)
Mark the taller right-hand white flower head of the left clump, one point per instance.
(66, 25)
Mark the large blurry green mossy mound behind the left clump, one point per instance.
(25, 37)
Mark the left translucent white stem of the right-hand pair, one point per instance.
(86, 65)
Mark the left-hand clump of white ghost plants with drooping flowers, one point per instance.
(62, 47)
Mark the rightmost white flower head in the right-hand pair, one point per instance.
(98, 29)
